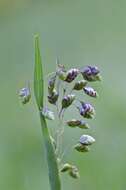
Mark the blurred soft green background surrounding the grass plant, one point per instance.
(81, 33)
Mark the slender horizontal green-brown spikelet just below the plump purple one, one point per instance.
(78, 123)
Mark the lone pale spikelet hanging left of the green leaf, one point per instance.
(25, 95)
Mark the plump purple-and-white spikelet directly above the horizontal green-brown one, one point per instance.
(87, 110)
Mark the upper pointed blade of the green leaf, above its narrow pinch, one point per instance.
(38, 75)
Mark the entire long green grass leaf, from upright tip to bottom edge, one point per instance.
(50, 152)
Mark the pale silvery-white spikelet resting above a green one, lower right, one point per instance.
(86, 140)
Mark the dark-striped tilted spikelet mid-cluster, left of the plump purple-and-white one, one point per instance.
(68, 100)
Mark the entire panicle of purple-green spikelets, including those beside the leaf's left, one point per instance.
(63, 99)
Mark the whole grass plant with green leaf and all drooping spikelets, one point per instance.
(61, 98)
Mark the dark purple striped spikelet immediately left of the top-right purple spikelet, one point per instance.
(71, 75)
